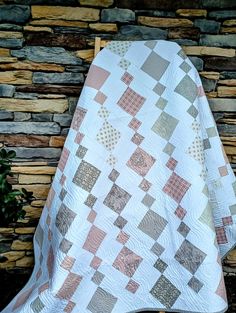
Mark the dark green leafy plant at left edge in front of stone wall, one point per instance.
(11, 200)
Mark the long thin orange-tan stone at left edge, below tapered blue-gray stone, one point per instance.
(28, 65)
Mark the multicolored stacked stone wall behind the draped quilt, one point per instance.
(45, 51)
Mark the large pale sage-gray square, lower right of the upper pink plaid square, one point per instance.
(165, 125)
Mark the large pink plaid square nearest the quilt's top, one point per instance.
(131, 101)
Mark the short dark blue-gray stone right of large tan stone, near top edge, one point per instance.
(117, 15)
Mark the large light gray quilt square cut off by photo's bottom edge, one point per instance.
(102, 302)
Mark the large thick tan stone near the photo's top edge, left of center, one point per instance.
(64, 13)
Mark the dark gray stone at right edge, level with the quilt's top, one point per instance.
(218, 40)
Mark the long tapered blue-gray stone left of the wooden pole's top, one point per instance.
(46, 54)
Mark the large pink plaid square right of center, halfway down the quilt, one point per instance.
(176, 187)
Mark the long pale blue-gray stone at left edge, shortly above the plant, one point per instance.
(29, 128)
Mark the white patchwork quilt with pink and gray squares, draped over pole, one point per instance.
(142, 207)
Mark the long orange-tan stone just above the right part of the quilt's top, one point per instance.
(164, 21)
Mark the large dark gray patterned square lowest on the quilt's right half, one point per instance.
(165, 292)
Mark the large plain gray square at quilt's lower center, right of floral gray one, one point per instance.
(152, 224)
